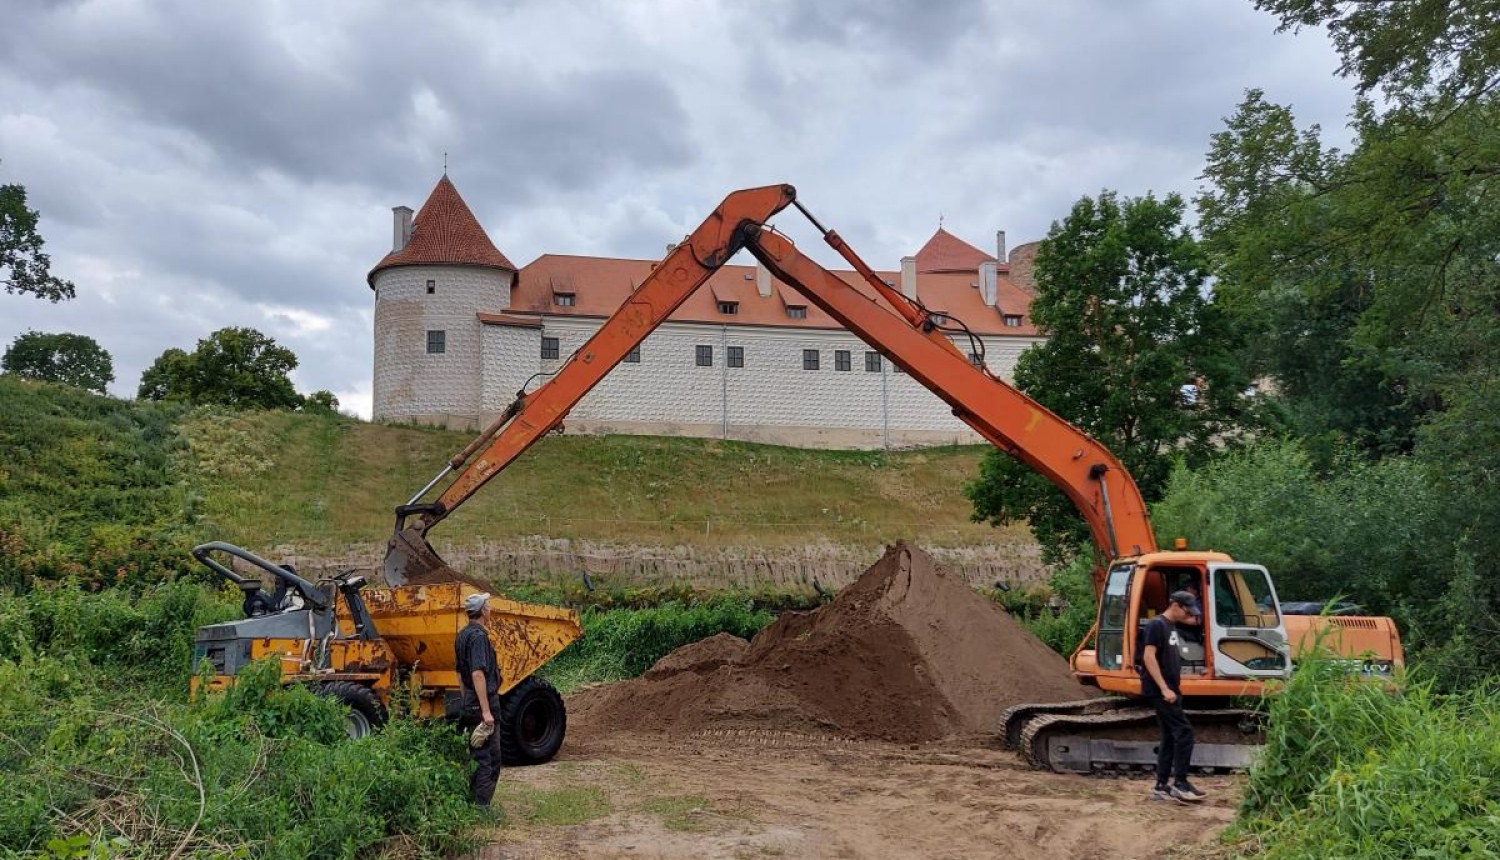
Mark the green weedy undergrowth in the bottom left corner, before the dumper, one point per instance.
(260, 772)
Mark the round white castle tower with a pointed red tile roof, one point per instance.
(442, 272)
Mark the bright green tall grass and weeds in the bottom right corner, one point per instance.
(1355, 769)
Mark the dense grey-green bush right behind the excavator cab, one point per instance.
(1385, 535)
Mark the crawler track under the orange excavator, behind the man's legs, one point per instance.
(1124, 741)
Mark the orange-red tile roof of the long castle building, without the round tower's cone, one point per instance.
(602, 284)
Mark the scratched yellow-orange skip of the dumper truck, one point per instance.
(421, 622)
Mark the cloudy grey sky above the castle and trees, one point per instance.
(202, 164)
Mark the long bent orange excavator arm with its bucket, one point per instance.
(899, 328)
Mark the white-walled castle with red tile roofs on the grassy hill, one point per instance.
(460, 331)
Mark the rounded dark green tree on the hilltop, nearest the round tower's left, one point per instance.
(232, 367)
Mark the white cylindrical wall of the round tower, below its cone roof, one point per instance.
(409, 382)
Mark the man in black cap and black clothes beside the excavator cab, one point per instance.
(1160, 667)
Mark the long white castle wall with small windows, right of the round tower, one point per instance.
(770, 400)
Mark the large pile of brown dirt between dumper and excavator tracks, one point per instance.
(907, 654)
